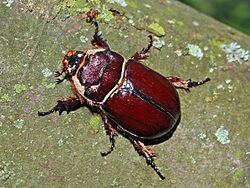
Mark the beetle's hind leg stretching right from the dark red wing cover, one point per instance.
(185, 84)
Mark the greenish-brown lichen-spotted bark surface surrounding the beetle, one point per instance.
(211, 145)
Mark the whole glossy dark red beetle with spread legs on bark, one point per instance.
(132, 99)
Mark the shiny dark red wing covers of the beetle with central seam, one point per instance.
(146, 106)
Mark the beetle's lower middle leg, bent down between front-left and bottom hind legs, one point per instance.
(110, 131)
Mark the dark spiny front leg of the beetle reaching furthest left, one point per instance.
(66, 104)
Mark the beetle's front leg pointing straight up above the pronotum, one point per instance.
(97, 40)
